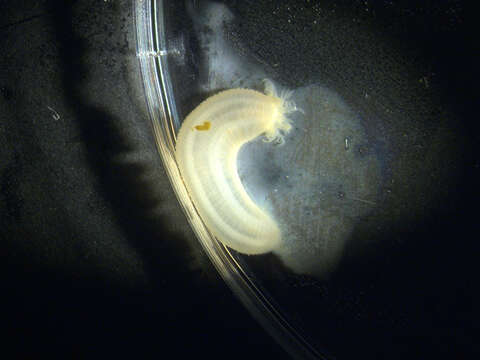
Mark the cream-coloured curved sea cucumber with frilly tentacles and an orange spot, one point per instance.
(206, 151)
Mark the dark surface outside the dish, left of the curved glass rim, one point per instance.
(97, 257)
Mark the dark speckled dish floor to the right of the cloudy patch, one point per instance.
(407, 289)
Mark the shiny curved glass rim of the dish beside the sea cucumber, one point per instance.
(152, 55)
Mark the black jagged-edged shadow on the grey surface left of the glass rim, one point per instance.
(81, 315)
